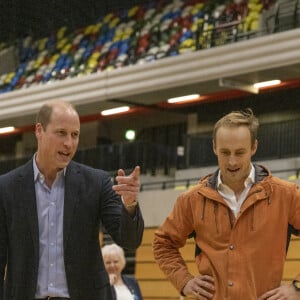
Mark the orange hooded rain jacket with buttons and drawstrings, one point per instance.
(245, 255)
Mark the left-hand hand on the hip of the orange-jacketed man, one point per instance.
(201, 287)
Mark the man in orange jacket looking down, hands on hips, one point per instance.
(239, 215)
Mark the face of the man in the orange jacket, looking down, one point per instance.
(233, 149)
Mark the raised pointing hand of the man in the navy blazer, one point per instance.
(128, 186)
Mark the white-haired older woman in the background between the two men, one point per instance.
(123, 287)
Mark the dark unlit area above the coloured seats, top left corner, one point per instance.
(22, 17)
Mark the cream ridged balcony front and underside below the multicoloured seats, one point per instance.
(148, 86)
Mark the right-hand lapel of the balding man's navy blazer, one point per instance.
(72, 197)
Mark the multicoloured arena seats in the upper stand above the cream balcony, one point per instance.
(141, 34)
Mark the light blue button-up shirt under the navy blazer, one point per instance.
(50, 206)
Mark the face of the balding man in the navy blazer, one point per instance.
(58, 142)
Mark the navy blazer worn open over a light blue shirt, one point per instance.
(89, 200)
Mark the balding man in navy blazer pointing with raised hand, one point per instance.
(50, 212)
